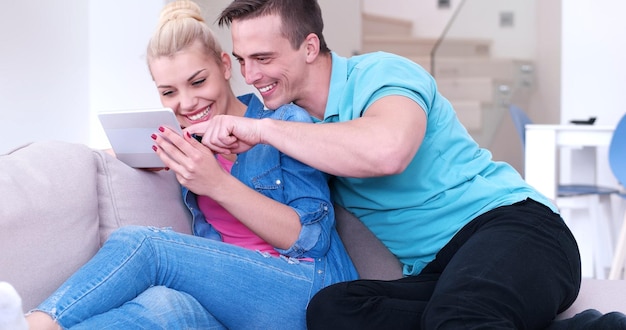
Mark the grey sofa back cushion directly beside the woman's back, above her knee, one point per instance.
(129, 196)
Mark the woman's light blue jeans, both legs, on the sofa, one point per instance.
(215, 285)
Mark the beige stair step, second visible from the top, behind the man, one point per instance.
(411, 46)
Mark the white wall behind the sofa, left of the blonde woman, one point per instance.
(62, 61)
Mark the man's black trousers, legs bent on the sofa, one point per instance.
(514, 267)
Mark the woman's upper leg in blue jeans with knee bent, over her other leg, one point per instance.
(239, 287)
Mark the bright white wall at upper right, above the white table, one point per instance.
(593, 67)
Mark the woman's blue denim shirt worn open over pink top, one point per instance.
(286, 180)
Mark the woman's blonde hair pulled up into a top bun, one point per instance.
(180, 25)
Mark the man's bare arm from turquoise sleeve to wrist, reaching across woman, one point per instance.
(382, 142)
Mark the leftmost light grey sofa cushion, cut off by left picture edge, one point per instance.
(48, 216)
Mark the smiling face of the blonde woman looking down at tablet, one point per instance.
(193, 84)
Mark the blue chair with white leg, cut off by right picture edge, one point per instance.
(617, 162)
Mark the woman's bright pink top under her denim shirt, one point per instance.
(232, 230)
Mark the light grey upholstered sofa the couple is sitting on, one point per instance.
(60, 201)
